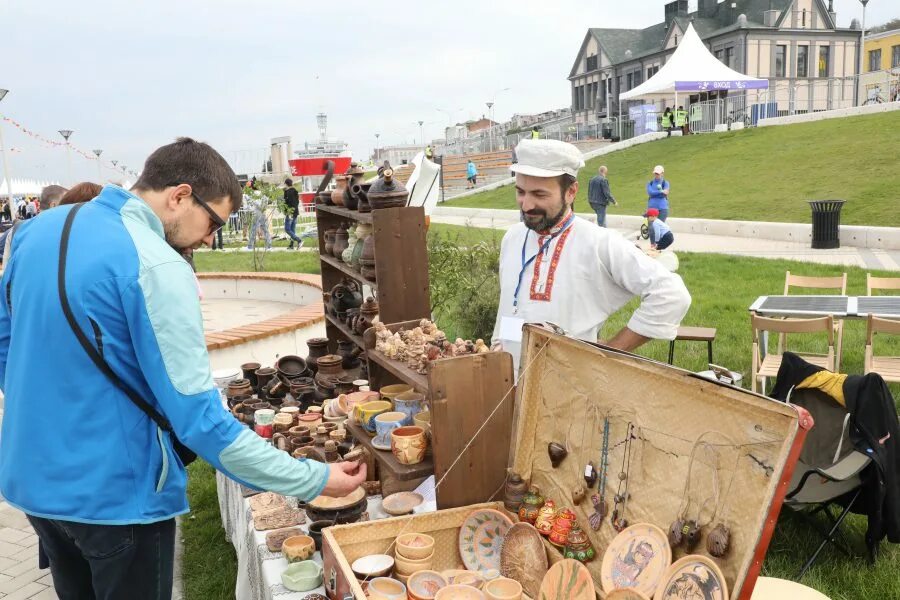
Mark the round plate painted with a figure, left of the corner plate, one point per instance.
(636, 558)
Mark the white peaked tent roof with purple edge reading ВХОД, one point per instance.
(692, 68)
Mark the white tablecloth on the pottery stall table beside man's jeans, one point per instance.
(258, 570)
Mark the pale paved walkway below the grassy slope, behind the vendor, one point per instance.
(865, 258)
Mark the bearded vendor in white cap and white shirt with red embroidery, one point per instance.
(559, 268)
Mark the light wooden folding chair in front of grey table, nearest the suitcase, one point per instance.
(765, 366)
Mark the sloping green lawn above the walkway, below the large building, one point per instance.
(758, 174)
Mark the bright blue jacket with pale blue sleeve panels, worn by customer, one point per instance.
(72, 445)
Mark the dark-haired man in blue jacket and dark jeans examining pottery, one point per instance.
(99, 480)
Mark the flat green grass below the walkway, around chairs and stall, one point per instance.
(722, 288)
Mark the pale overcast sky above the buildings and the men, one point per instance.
(130, 76)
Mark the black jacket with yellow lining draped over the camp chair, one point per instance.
(874, 431)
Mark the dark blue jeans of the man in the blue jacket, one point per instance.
(108, 561)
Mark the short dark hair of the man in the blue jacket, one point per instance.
(194, 163)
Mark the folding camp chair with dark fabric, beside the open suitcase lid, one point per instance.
(828, 472)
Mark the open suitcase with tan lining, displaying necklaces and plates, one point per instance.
(567, 389)
